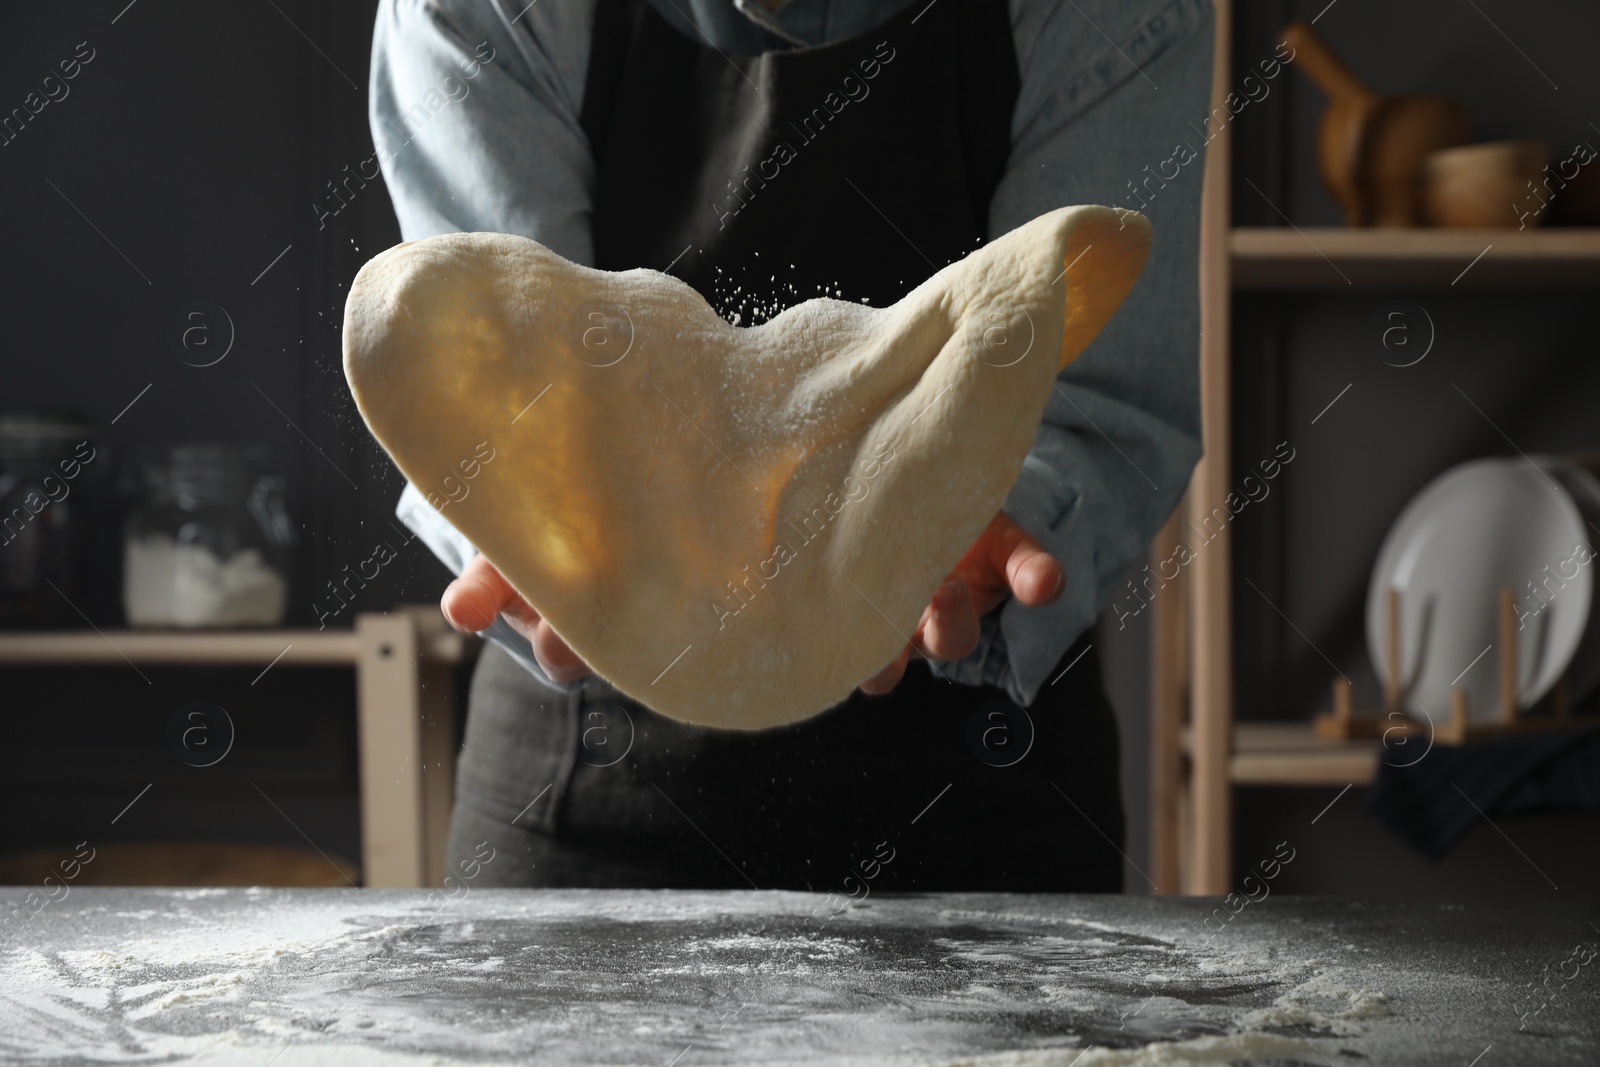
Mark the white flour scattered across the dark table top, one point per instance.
(337, 985)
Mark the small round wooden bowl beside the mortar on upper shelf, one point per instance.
(1487, 186)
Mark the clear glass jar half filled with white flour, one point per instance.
(209, 543)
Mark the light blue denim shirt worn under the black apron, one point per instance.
(476, 118)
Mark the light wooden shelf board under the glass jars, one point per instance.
(300, 649)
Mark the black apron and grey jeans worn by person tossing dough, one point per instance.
(855, 169)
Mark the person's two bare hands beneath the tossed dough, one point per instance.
(1006, 562)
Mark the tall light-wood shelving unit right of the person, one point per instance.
(1199, 753)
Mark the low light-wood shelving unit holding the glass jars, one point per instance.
(406, 716)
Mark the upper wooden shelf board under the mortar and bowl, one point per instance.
(1332, 260)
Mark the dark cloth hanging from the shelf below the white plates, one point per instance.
(1431, 804)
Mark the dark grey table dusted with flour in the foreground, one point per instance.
(679, 980)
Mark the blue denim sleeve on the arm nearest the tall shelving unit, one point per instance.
(1110, 94)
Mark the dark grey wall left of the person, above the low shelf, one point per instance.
(191, 150)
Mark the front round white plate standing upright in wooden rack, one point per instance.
(1473, 530)
